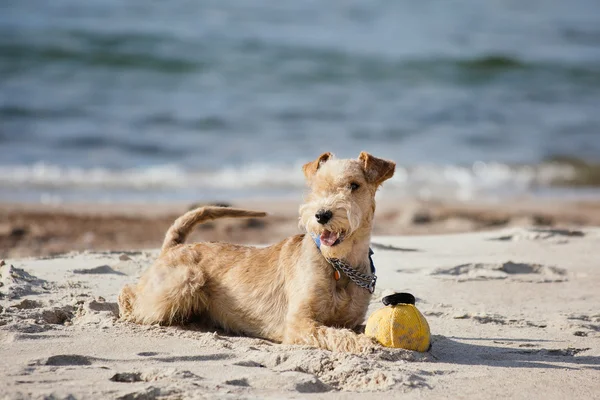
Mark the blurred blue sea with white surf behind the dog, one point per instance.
(110, 101)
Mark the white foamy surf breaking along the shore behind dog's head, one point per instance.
(424, 181)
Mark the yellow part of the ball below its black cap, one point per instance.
(401, 326)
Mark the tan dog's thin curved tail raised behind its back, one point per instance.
(181, 228)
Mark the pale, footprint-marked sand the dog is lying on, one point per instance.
(515, 314)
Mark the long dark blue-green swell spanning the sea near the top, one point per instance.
(290, 62)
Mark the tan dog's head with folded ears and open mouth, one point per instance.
(341, 200)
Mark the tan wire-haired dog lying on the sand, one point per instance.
(288, 292)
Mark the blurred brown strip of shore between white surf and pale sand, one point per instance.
(40, 230)
